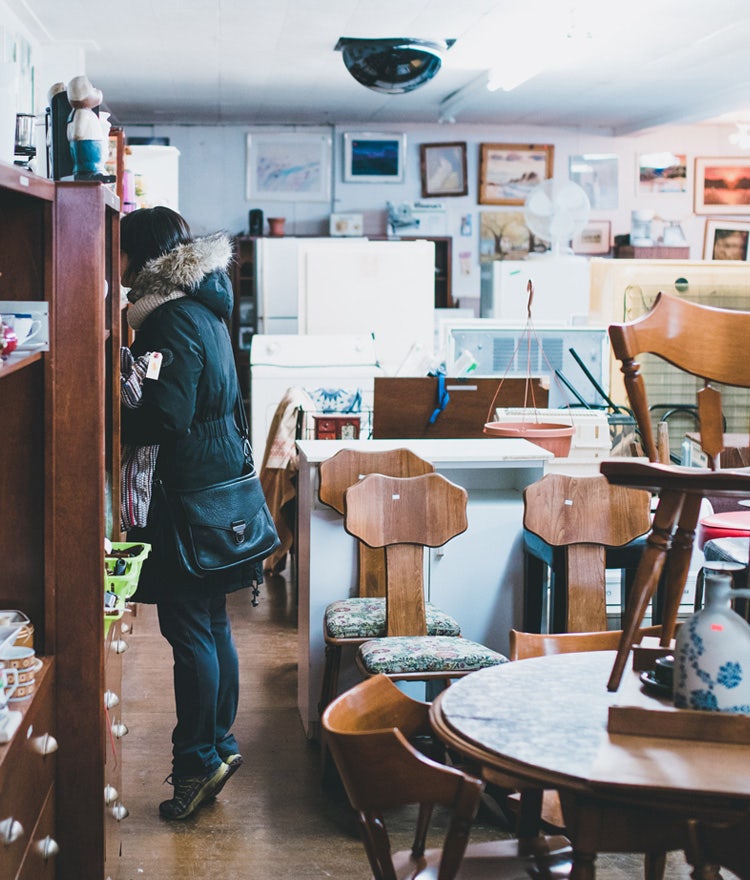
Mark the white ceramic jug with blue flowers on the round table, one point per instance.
(712, 653)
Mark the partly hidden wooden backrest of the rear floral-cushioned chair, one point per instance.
(347, 467)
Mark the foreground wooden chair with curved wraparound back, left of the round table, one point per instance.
(370, 730)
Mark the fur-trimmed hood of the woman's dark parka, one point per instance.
(197, 269)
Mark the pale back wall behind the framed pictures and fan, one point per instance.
(212, 181)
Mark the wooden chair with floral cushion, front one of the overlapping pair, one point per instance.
(407, 515)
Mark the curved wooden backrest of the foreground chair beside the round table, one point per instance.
(368, 729)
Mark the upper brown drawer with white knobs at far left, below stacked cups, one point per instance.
(26, 773)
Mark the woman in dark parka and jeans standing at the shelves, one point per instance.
(180, 297)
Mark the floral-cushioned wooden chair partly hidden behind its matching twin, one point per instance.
(351, 620)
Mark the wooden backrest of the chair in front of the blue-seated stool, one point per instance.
(585, 515)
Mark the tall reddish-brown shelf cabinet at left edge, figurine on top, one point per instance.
(59, 480)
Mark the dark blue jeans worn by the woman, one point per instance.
(206, 683)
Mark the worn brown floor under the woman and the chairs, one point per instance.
(273, 818)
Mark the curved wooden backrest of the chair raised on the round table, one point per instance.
(704, 341)
